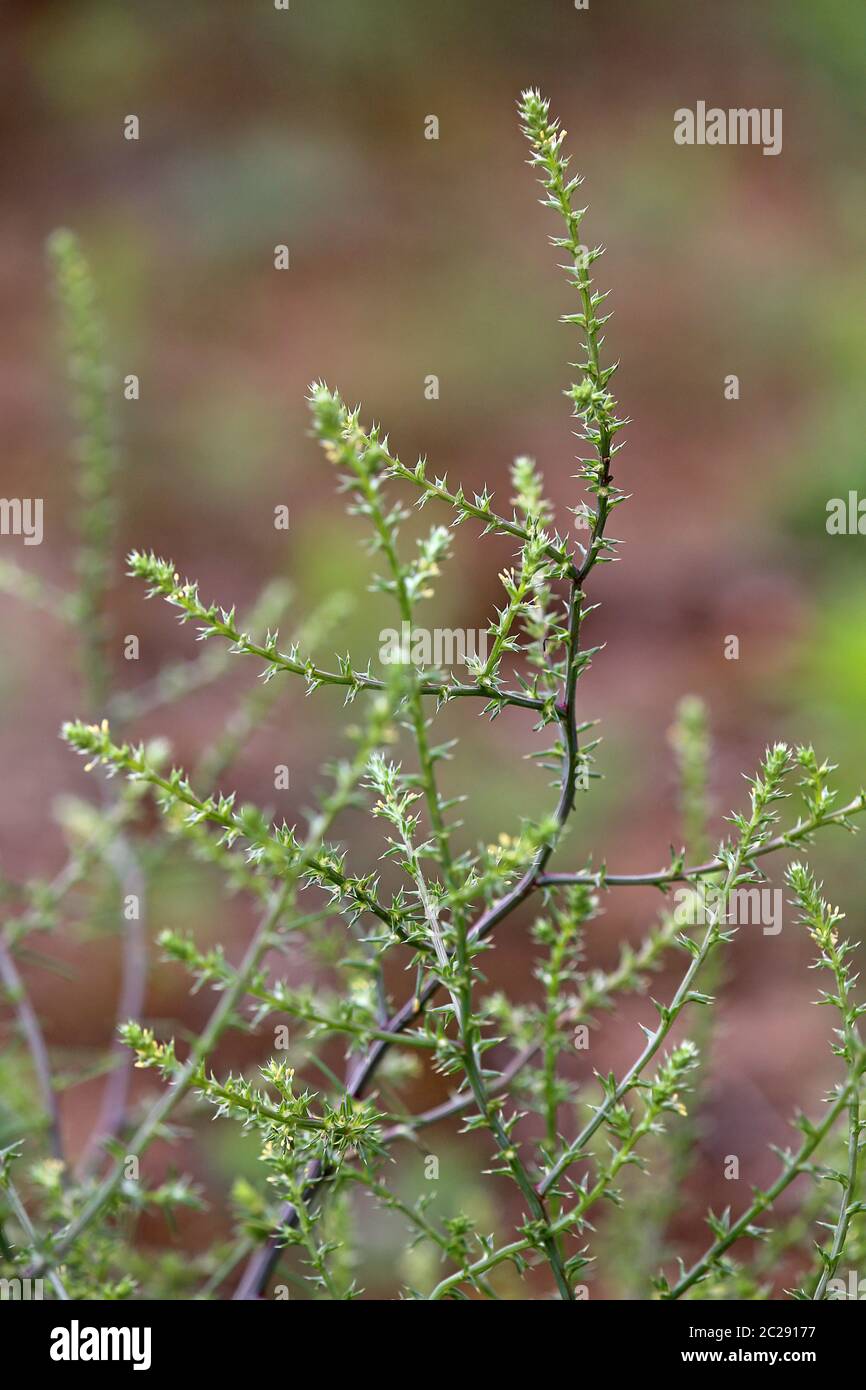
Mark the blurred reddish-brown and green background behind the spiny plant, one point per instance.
(412, 258)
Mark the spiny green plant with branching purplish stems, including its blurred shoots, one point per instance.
(565, 1146)
